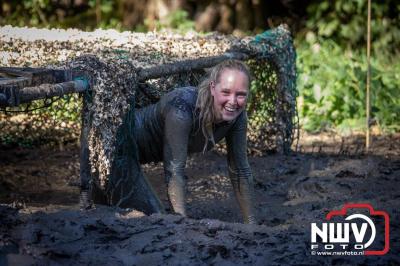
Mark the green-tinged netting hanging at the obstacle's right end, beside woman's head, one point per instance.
(276, 73)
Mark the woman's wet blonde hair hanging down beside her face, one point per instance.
(205, 101)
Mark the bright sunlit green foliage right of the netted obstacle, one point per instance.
(332, 65)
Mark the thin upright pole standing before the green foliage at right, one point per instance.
(368, 104)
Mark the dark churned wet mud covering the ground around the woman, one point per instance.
(41, 223)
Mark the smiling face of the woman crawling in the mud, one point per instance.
(230, 94)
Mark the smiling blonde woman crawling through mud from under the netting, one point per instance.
(188, 120)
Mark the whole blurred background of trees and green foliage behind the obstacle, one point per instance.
(330, 37)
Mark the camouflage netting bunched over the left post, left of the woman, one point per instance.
(114, 84)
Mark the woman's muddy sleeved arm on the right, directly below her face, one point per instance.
(239, 168)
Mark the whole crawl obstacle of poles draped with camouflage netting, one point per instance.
(114, 81)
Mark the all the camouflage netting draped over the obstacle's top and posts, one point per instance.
(117, 58)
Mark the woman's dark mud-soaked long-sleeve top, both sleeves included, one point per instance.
(170, 130)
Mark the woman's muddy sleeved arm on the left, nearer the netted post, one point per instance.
(176, 136)
